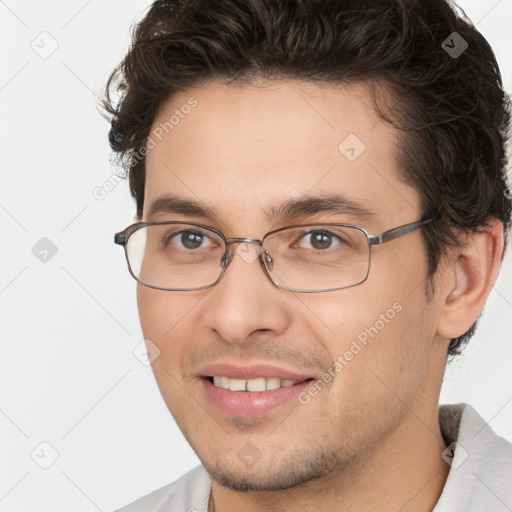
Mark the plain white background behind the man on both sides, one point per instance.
(69, 326)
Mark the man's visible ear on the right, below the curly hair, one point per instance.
(470, 275)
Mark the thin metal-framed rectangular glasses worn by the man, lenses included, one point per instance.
(185, 256)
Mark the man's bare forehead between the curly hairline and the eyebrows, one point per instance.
(245, 149)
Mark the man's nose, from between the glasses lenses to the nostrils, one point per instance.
(245, 301)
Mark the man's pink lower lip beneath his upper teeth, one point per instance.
(251, 404)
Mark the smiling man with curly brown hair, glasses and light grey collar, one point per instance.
(323, 212)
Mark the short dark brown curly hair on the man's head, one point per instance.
(452, 109)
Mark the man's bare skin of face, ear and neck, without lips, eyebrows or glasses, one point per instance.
(370, 440)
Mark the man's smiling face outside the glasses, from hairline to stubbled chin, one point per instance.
(242, 152)
